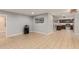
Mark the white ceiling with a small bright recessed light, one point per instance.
(36, 11)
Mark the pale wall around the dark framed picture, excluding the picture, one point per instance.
(45, 27)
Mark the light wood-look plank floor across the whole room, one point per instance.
(57, 40)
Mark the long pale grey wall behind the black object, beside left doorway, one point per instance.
(16, 22)
